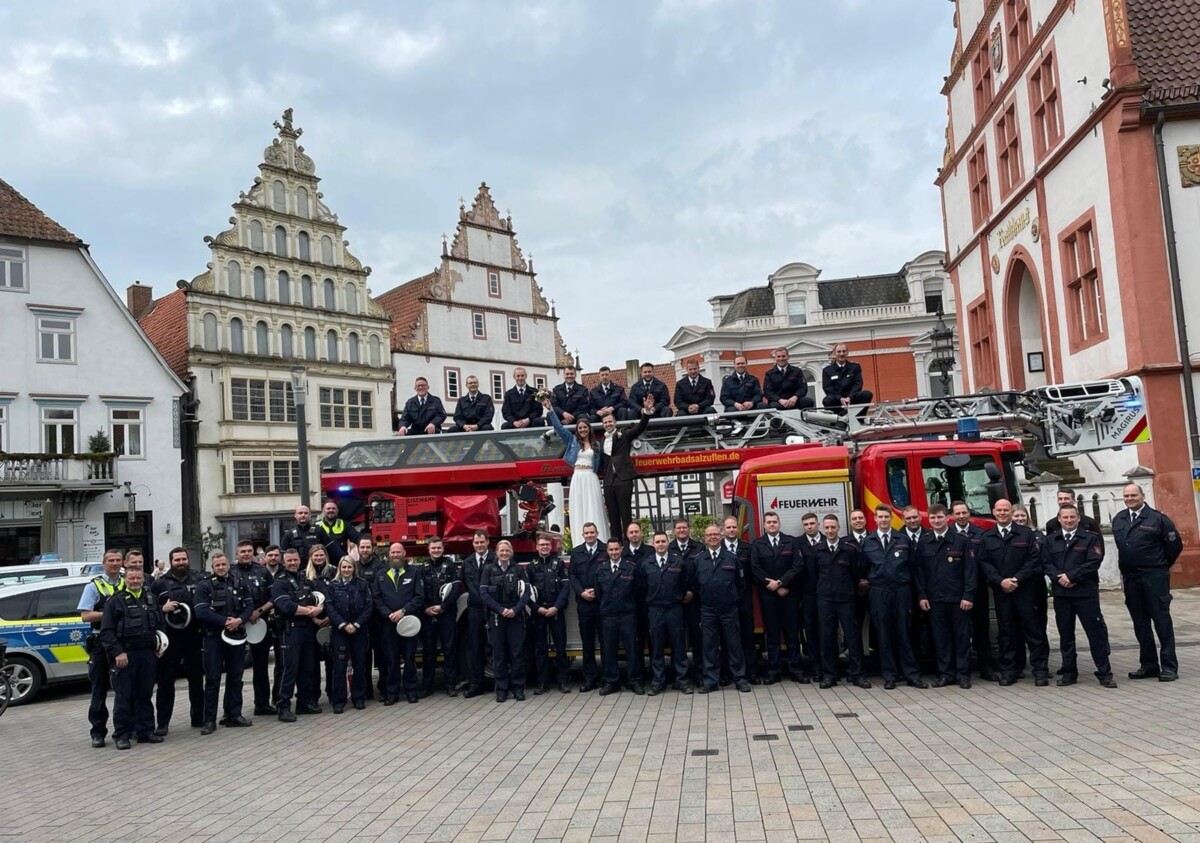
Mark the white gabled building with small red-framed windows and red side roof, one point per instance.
(481, 313)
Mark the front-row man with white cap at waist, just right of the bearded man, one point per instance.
(223, 606)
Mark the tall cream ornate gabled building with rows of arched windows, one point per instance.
(281, 294)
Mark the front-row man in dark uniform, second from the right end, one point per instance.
(1072, 560)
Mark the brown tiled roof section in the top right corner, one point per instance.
(1165, 37)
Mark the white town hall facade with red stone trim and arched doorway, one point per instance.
(1070, 186)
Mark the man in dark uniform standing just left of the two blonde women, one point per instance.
(292, 594)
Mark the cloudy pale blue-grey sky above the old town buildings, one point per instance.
(653, 153)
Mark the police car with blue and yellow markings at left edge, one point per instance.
(46, 638)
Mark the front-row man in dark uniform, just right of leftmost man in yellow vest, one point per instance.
(128, 631)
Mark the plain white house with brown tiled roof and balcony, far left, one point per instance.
(89, 410)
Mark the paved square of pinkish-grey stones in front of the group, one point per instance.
(988, 764)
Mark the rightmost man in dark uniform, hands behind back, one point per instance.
(1148, 546)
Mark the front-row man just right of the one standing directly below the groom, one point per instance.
(667, 584)
